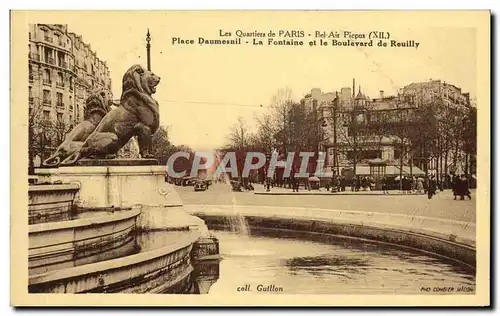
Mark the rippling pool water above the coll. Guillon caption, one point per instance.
(276, 262)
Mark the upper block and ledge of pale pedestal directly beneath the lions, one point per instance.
(116, 182)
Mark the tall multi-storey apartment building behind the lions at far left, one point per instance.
(63, 70)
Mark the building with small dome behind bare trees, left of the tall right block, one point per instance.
(344, 144)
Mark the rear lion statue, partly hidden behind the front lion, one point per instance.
(96, 107)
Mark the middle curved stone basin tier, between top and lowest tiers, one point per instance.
(59, 245)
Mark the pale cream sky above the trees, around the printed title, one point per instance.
(204, 89)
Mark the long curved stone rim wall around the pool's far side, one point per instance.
(454, 240)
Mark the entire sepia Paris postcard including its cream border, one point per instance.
(250, 158)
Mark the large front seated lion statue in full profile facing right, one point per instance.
(137, 115)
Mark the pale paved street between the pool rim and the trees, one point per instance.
(442, 205)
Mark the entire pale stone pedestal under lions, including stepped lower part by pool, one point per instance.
(127, 183)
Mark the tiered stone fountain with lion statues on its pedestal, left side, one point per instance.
(106, 225)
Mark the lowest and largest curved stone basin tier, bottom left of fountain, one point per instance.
(165, 269)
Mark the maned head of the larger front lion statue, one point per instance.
(138, 78)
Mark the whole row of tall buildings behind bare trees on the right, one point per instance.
(380, 123)
